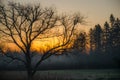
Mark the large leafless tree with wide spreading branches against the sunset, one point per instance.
(24, 24)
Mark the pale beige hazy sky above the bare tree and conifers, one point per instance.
(97, 11)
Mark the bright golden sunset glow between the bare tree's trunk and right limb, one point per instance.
(42, 45)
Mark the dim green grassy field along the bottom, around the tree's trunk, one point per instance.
(106, 74)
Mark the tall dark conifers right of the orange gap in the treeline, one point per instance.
(106, 39)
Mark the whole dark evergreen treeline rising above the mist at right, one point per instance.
(101, 39)
